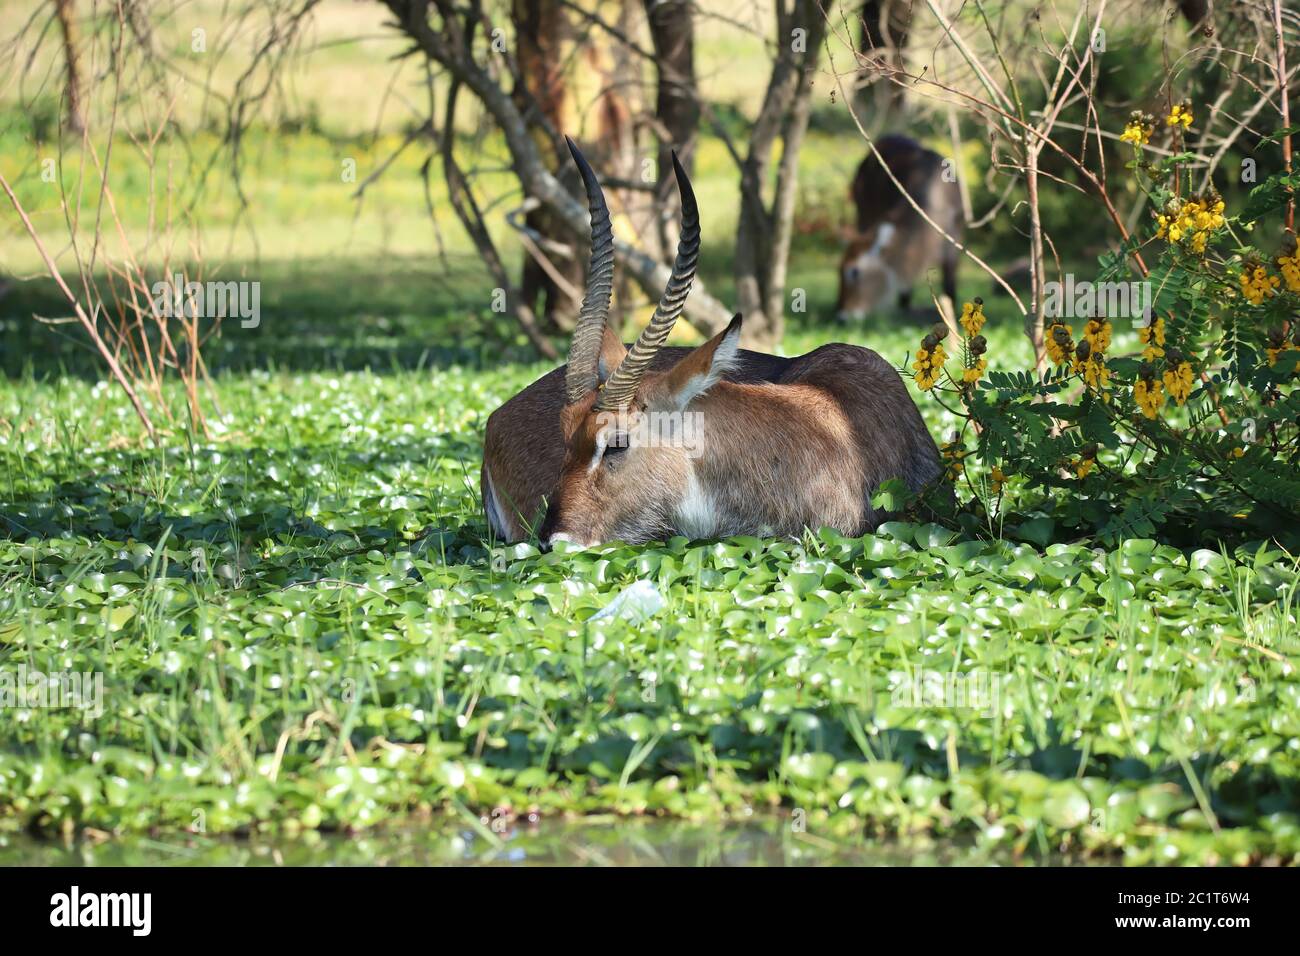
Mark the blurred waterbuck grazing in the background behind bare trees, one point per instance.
(892, 245)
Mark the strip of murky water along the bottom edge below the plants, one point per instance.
(591, 842)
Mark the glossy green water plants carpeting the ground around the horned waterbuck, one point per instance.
(302, 625)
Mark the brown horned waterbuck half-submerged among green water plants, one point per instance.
(645, 443)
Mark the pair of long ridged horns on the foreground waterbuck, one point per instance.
(583, 374)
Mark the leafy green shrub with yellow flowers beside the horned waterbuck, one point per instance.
(1182, 423)
